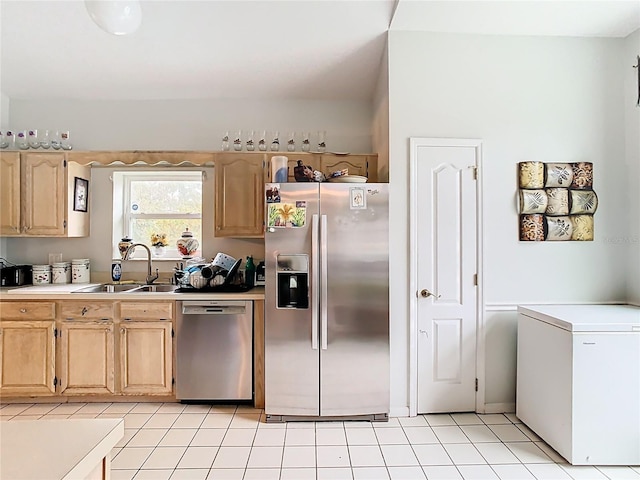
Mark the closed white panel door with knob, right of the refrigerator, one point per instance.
(444, 235)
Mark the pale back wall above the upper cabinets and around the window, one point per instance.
(171, 125)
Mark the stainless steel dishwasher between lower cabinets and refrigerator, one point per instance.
(214, 343)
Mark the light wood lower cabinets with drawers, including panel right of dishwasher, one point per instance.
(99, 348)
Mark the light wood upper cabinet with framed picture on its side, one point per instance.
(38, 195)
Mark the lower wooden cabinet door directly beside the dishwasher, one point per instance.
(146, 358)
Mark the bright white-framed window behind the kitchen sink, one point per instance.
(157, 203)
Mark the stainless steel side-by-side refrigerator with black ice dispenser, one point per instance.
(327, 301)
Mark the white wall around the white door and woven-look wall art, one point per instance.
(527, 98)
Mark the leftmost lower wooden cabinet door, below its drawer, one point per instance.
(27, 357)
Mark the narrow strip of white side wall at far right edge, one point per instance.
(631, 50)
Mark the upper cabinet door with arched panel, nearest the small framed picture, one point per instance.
(45, 195)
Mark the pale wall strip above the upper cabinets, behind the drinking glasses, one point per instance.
(194, 124)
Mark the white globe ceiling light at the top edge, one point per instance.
(118, 17)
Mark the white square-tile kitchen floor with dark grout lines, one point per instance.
(189, 442)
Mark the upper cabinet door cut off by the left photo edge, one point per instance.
(9, 193)
